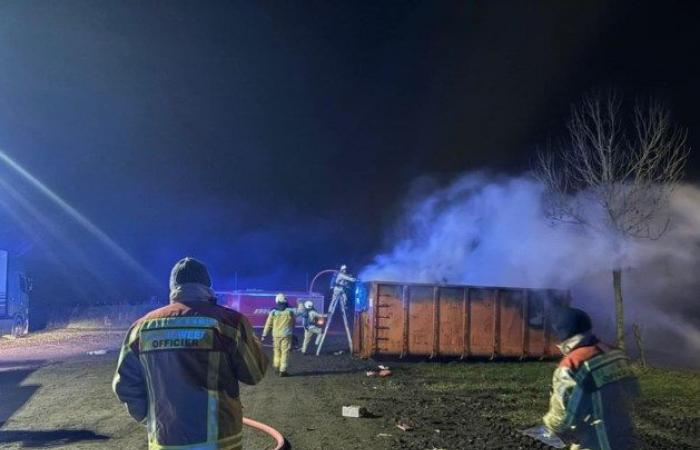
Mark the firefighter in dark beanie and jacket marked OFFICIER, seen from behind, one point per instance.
(180, 365)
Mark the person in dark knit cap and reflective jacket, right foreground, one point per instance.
(593, 388)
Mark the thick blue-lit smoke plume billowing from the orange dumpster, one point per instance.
(489, 230)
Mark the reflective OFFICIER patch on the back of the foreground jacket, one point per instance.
(176, 339)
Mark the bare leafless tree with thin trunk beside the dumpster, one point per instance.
(616, 174)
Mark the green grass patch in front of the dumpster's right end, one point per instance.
(667, 409)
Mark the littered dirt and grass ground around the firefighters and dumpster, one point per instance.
(68, 403)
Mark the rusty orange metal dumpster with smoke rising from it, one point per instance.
(412, 319)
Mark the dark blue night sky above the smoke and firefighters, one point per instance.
(274, 139)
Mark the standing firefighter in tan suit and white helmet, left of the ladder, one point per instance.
(281, 321)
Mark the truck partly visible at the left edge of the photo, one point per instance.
(15, 287)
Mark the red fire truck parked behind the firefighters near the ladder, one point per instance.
(255, 304)
